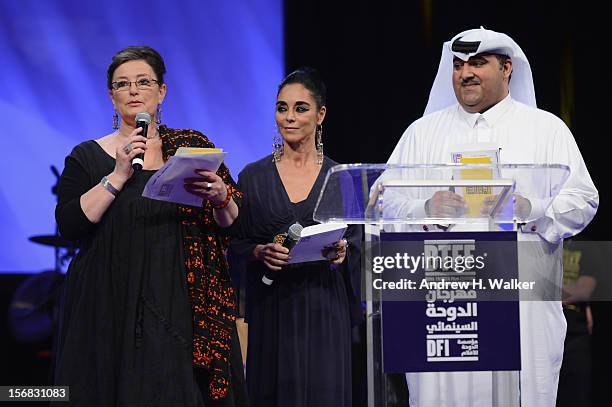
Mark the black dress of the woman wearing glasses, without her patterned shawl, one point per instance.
(125, 337)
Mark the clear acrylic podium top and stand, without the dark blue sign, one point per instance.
(392, 198)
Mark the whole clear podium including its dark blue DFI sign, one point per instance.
(458, 327)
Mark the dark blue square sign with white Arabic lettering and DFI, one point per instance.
(444, 305)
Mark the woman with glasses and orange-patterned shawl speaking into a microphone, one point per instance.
(149, 309)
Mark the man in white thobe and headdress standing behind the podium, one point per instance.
(474, 100)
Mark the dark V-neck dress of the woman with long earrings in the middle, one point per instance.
(299, 351)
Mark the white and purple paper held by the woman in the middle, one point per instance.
(314, 239)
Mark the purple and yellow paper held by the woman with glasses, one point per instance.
(167, 184)
